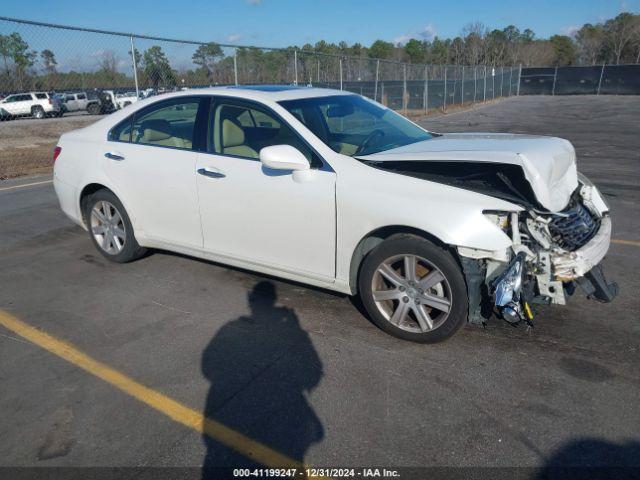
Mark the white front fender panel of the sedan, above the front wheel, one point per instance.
(451, 215)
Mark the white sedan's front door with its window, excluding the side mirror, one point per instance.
(264, 216)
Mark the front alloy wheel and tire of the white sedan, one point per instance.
(413, 289)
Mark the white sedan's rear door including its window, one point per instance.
(151, 157)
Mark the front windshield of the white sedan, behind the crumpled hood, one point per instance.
(353, 125)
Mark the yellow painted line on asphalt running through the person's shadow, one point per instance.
(169, 407)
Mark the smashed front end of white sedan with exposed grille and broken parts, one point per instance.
(551, 255)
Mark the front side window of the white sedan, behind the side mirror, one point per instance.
(242, 130)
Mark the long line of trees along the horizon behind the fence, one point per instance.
(614, 41)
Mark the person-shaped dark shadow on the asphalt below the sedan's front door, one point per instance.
(261, 368)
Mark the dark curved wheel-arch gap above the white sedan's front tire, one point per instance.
(379, 235)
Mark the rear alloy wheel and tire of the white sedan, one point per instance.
(110, 228)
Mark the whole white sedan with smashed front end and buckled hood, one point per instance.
(331, 189)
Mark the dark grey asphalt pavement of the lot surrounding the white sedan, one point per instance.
(300, 370)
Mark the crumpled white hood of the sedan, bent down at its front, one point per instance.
(548, 163)
